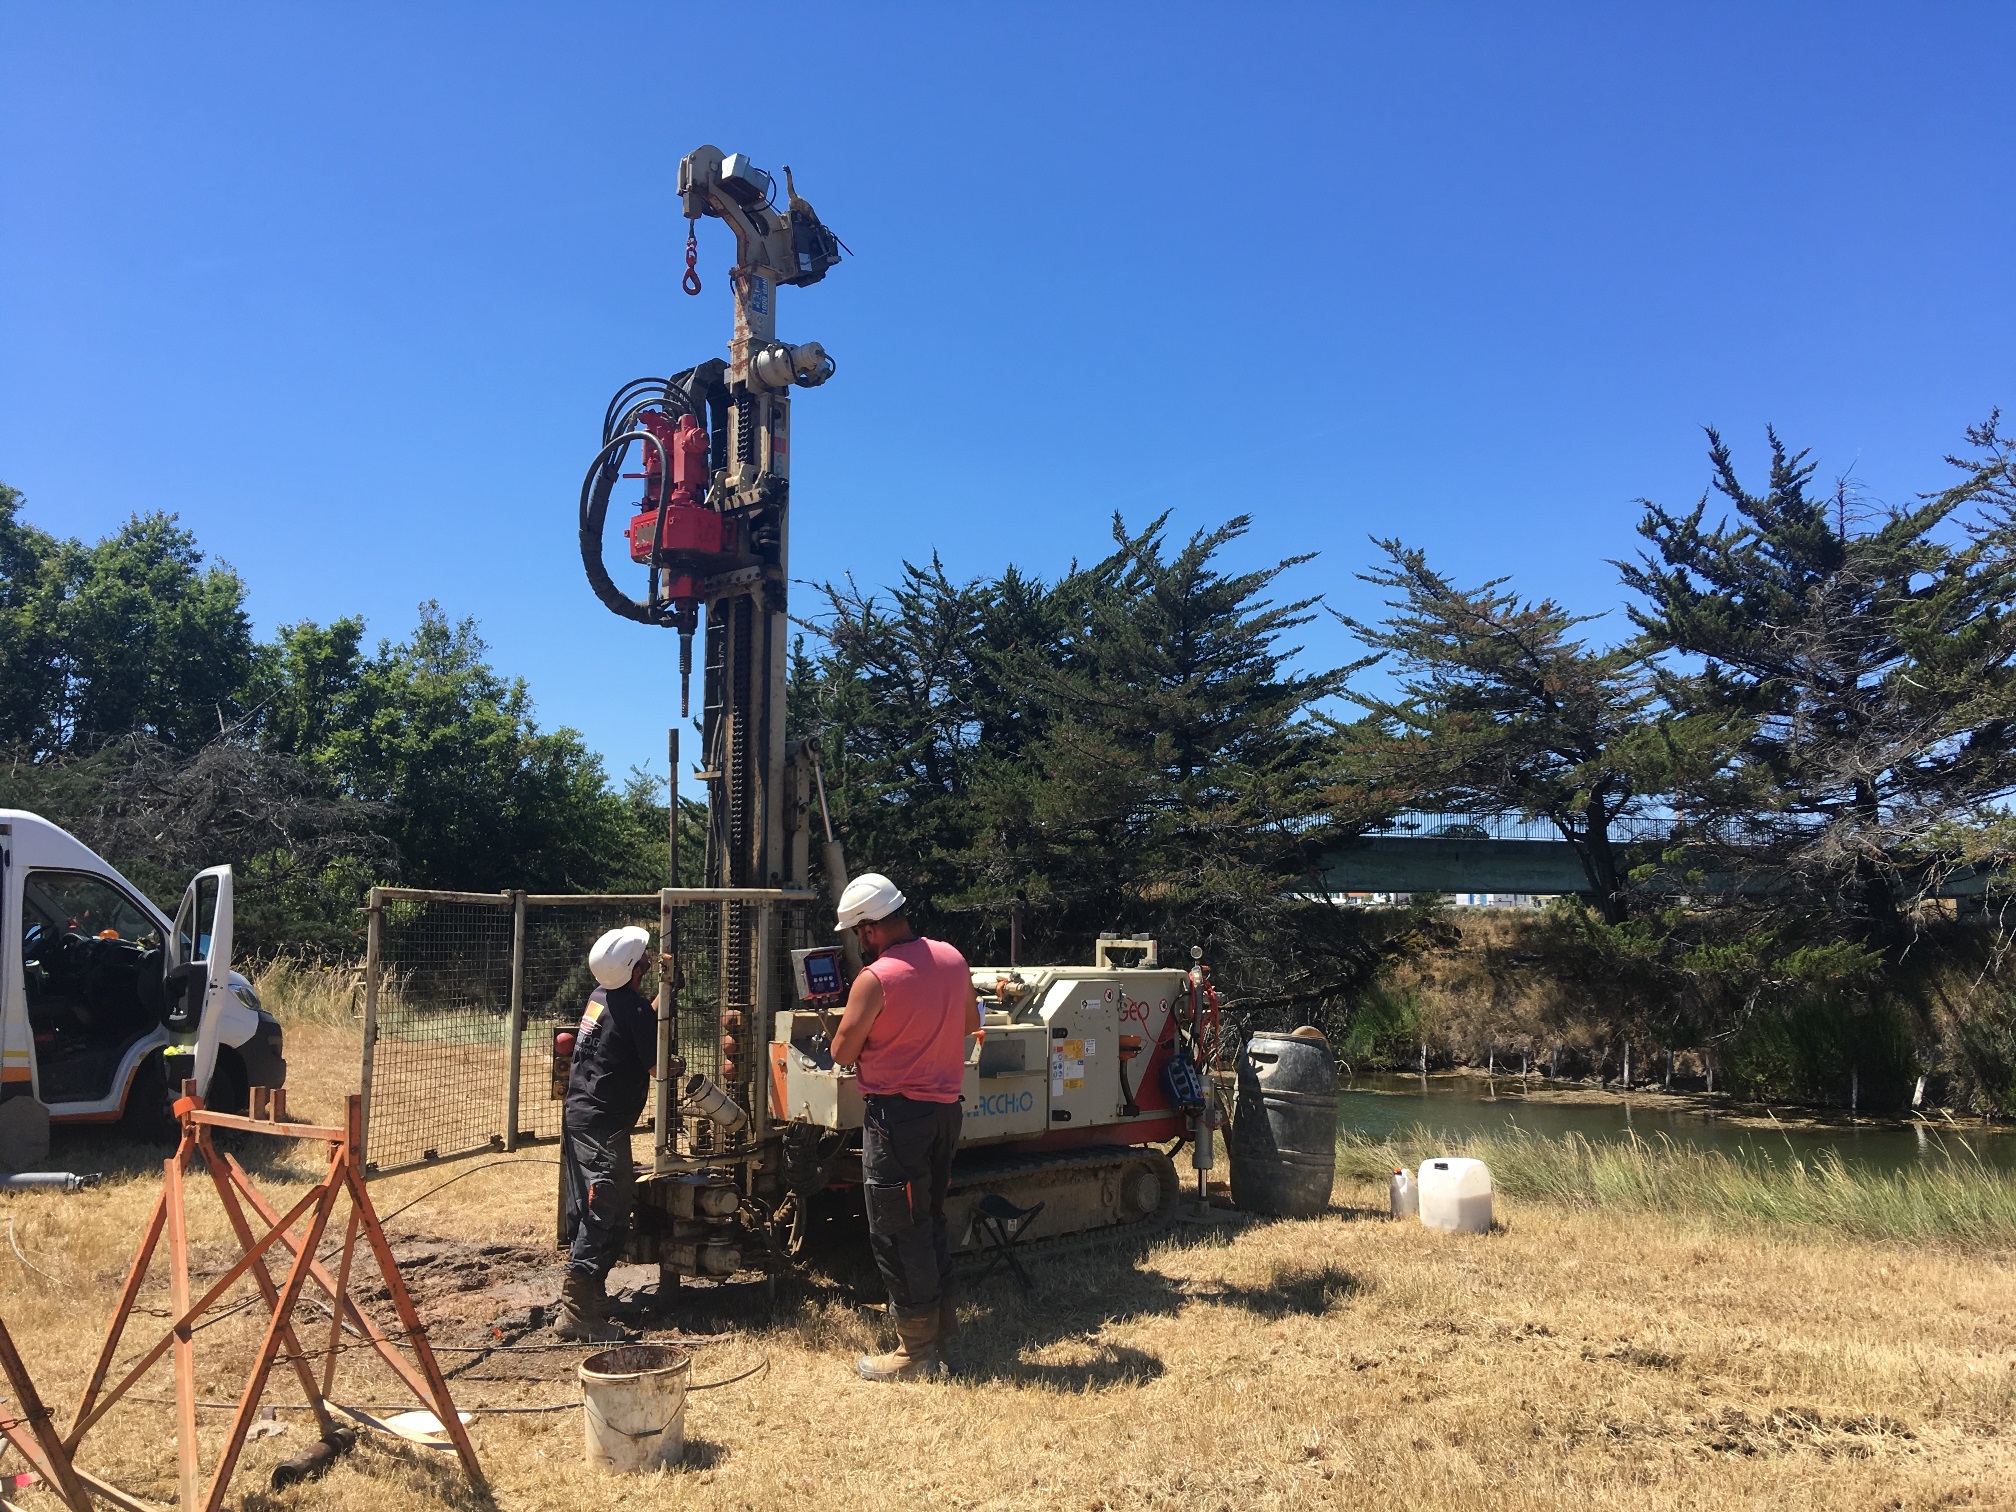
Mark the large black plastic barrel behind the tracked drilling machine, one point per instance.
(1285, 1126)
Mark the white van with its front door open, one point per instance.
(108, 1007)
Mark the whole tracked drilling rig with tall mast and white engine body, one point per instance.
(1080, 1076)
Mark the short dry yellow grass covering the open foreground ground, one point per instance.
(1576, 1360)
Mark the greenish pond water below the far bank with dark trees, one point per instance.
(1382, 1106)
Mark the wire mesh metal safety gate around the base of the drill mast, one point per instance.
(467, 991)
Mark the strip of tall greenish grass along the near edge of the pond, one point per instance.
(1952, 1199)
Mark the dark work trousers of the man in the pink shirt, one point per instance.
(906, 1166)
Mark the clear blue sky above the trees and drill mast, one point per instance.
(348, 287)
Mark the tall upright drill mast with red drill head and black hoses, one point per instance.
(715, 535)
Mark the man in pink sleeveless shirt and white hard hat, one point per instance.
(904, 1029)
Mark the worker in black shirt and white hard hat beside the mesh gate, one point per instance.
(616, 1057)
